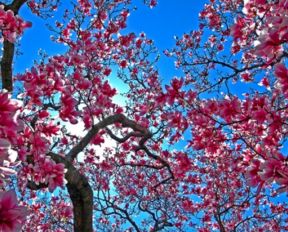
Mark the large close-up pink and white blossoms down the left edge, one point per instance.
(12, 216)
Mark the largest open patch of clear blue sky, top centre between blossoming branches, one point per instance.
(170, 18)
